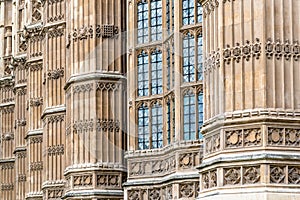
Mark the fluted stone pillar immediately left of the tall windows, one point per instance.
(95, 99)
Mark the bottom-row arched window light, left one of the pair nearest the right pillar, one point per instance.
(189, 117)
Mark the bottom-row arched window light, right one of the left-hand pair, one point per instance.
(157, 126)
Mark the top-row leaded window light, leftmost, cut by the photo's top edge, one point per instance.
(142, 23)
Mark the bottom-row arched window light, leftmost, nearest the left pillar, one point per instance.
(143, 127)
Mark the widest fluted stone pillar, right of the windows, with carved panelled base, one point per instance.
(252, 110)
